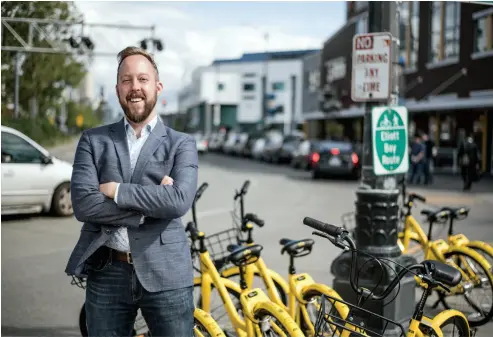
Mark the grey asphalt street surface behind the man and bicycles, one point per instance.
(38, 300)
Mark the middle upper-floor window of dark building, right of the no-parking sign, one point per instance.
(445, 30)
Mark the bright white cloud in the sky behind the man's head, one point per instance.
(190, 40)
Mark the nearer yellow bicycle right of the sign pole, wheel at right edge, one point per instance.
(475, 269)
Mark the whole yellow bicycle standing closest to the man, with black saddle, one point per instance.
(258, 311)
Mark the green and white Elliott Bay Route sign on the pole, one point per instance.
(390, 140)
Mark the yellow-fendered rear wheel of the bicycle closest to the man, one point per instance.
(275, 321)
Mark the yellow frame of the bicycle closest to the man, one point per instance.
(250, 299)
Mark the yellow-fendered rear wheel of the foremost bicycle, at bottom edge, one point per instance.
(450, 326)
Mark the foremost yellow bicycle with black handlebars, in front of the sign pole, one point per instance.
(432, 274)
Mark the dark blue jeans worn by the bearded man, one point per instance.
(114, 294)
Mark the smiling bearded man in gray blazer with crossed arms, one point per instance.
(132, 181)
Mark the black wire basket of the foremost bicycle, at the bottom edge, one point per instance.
(330, 323)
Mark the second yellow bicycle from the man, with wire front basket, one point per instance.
(300, 296)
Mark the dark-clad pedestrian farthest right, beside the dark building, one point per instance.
(469, 160)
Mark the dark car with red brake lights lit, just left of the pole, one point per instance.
(335, 158)
